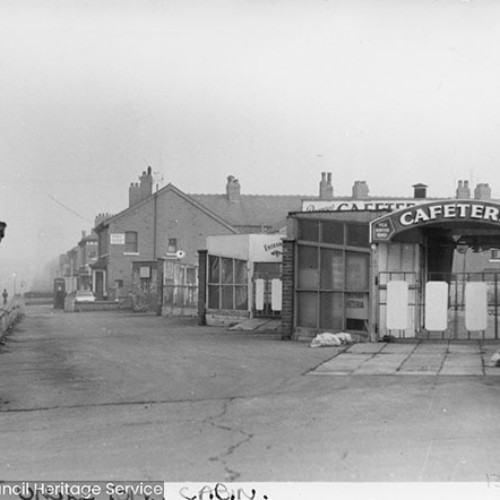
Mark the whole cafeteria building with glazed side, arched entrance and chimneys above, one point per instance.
(393, 268)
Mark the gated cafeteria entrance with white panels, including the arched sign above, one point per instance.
(436, 278)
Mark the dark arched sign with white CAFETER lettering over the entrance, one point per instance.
(385, 228)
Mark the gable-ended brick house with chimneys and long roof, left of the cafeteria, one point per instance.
(158, 236)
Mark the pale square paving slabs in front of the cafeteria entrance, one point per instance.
(422, 358)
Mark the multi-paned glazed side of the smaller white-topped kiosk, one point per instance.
(227, 283)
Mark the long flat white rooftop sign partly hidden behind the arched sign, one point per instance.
(373, 205)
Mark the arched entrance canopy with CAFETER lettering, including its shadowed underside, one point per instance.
(472, 217)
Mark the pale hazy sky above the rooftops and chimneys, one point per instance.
(274, 92)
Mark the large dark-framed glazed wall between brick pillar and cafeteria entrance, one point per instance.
(332, 269)
